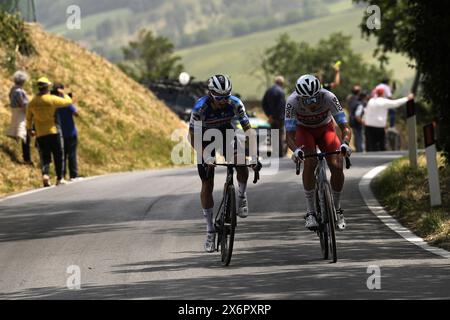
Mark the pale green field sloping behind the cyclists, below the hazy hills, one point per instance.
(240, 57)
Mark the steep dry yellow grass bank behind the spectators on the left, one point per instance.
(122, 125)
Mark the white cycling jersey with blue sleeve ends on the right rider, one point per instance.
(298, 113)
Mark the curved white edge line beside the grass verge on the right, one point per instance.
(373, 204)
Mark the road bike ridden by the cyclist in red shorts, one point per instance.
(325, 211)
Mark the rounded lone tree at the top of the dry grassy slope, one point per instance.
(150, 58)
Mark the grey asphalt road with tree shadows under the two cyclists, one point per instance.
(140, 236)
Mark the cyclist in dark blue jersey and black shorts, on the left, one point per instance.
(216, 111)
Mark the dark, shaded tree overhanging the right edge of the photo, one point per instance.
(419, 29)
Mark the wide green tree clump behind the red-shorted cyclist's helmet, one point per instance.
(292, 59)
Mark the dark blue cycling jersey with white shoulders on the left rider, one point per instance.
(204, 113)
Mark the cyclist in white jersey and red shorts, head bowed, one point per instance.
(310, 110)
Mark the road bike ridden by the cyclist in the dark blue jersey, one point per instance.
(225, 219)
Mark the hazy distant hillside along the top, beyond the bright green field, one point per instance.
(109, 24)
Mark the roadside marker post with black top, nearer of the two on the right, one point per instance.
(433, 173)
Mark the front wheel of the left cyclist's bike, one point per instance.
(228, 225)
